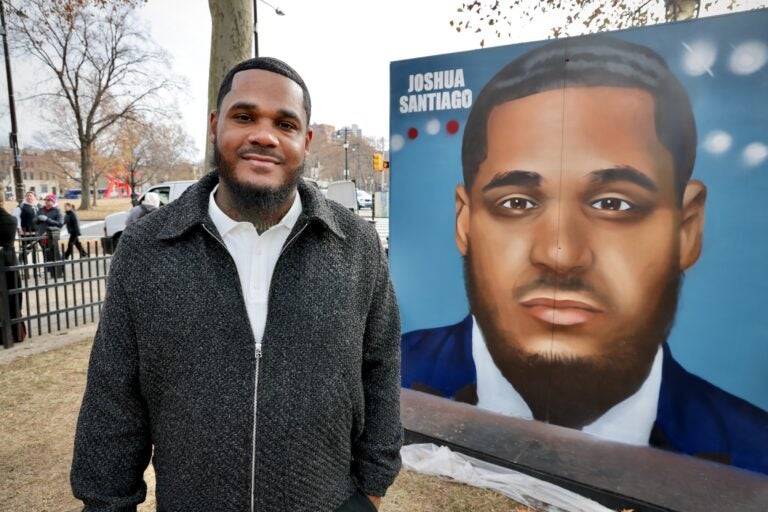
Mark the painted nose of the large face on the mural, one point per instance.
(561, 242)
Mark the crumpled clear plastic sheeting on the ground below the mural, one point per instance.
(440, 461)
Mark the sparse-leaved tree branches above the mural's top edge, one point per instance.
(499, 19)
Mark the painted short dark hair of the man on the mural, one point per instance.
(588, 61)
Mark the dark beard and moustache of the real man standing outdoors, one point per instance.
(261, 202)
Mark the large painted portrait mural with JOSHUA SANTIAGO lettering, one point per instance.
(579, 232)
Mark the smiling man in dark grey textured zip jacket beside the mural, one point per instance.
(249, 343)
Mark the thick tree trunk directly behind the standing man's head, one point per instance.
(231, 42)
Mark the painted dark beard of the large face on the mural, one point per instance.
(567, 390)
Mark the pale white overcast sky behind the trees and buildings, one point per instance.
(342, 49)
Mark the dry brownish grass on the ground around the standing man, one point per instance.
(40, 401)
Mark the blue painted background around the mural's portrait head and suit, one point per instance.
(721, 331)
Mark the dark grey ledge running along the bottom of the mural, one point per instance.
(616, 475)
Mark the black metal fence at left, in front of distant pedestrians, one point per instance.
(44, 293)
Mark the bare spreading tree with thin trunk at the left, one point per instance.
(103, 65)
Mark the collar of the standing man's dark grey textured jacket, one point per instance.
(191, 209)
